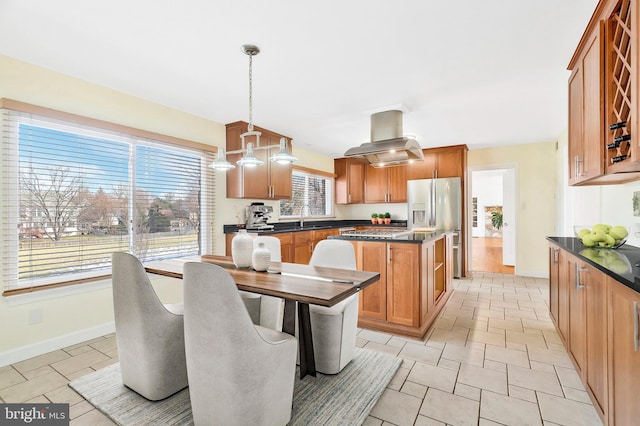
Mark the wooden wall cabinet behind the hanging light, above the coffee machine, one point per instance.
(269, 181)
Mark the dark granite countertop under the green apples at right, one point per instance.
(621, 264)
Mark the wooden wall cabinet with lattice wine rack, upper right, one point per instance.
(603, 106)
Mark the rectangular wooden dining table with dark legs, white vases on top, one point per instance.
(297, 284)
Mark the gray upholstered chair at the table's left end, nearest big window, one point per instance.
(150, 335)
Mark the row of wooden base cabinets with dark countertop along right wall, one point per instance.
(594, 296)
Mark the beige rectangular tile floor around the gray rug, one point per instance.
(492, 358)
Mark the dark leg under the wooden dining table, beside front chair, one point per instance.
(305, 339)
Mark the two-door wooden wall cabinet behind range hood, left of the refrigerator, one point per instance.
(385, 185)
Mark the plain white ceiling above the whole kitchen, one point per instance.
(482, 73)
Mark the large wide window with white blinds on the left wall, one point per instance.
(73, 194)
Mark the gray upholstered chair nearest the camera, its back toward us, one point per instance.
(239, 373)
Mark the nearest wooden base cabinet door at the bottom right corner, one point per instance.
(624, 355)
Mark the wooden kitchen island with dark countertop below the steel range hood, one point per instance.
(416, 274)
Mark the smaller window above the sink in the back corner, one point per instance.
(310, 189)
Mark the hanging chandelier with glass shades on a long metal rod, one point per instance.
(249, 158)
